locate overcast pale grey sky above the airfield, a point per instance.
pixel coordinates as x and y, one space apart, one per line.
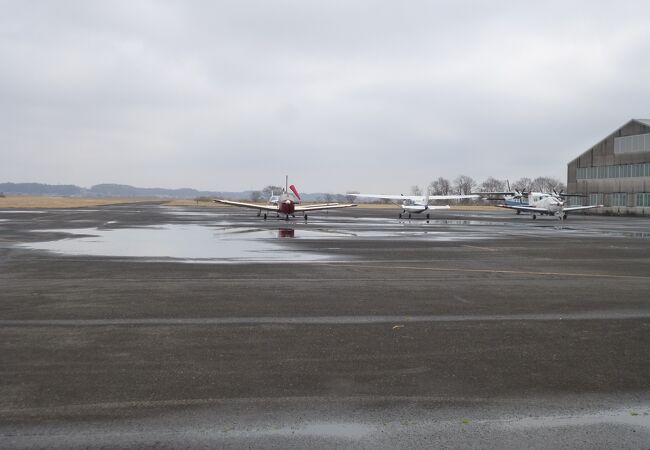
340 95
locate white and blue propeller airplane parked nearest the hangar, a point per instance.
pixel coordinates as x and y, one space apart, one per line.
541 203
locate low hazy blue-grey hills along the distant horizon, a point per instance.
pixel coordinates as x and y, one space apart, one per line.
123 190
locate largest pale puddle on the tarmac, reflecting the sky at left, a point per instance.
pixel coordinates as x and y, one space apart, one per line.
187 243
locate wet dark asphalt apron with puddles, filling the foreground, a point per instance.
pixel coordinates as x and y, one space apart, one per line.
353 330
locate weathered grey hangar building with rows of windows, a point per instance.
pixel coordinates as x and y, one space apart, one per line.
615 172
